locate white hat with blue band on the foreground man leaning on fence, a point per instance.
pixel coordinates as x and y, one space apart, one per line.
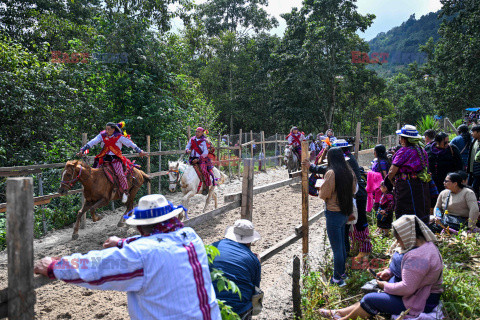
152 209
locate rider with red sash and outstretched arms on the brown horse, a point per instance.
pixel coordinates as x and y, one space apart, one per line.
112 140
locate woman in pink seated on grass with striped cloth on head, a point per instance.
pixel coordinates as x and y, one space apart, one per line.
420 271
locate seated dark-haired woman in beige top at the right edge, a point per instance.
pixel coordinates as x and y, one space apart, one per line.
457 203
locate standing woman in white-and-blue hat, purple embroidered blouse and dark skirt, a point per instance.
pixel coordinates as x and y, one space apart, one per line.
409 172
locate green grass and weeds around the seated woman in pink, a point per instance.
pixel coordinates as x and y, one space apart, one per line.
461 279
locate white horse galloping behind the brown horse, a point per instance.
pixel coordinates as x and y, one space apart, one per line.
185 174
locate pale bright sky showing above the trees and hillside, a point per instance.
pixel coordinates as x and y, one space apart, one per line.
389 13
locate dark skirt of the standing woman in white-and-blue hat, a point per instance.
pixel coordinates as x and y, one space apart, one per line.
412 196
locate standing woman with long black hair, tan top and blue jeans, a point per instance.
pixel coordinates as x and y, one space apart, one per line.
337 190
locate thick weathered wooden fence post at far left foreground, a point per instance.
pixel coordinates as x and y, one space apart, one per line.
21 293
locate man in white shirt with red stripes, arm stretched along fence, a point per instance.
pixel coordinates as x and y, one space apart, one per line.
164 270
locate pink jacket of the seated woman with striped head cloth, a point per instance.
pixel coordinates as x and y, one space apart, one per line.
421 272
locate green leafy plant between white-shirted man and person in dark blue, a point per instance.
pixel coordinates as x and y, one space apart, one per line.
222 284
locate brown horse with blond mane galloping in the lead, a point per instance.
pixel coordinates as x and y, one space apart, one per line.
97 189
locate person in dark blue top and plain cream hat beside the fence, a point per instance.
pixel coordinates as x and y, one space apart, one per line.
240 265
